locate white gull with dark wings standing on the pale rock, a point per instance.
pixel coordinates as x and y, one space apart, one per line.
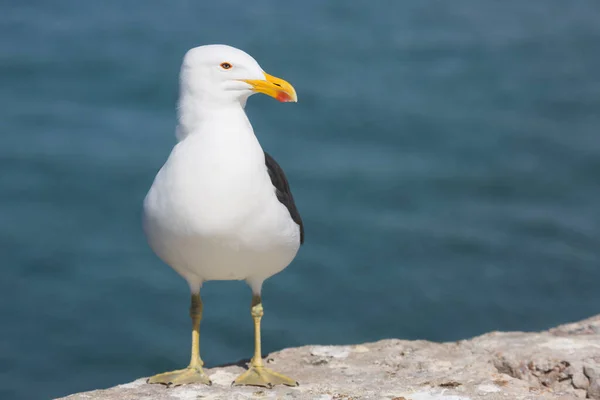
220 208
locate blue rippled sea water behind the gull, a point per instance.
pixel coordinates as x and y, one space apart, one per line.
445 157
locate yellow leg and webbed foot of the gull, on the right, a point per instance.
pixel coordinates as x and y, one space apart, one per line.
258 374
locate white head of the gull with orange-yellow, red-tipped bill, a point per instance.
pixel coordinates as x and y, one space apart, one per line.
221 75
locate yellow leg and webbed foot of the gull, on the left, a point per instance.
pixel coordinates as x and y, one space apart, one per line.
194 372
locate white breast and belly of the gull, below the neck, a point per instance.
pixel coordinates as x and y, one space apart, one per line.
212 212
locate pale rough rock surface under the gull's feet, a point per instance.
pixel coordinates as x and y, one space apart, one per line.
562 363
